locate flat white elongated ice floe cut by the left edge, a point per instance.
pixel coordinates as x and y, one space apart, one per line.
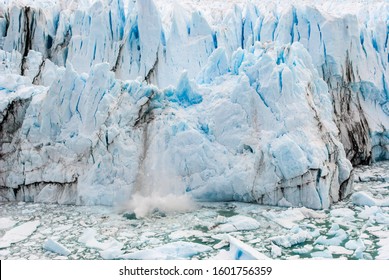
18 233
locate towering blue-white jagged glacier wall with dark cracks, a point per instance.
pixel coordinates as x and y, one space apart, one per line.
251 102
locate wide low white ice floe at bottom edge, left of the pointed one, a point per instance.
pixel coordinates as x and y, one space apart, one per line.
174 250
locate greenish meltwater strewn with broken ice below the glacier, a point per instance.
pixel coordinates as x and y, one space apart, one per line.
356 228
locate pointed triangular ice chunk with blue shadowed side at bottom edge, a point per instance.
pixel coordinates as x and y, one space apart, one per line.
239 251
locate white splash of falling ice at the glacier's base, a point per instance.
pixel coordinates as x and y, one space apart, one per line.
144 205
